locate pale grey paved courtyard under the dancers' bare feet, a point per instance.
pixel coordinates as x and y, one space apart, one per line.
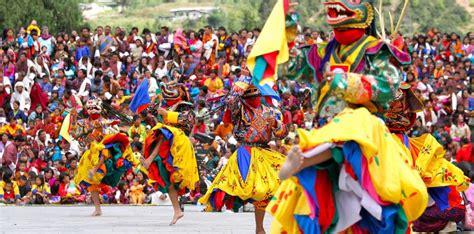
121 219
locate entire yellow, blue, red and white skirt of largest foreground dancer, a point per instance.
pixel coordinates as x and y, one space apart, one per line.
369 185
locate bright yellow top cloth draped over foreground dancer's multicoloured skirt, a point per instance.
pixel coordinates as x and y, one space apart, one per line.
389 164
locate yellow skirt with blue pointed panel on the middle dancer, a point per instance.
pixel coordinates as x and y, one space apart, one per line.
250 175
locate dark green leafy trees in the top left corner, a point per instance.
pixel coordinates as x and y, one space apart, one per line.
58 15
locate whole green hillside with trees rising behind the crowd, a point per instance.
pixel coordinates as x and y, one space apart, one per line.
65 15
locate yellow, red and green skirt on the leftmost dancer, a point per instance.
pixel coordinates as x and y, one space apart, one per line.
118 159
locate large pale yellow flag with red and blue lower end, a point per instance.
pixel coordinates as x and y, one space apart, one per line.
270 50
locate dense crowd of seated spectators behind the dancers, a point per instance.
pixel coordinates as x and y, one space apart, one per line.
43 77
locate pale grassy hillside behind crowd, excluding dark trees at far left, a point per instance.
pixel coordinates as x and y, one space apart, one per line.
447 15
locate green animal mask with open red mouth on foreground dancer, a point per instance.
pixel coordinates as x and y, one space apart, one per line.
347 14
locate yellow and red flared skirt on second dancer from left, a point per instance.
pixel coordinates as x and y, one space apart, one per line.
175 164
